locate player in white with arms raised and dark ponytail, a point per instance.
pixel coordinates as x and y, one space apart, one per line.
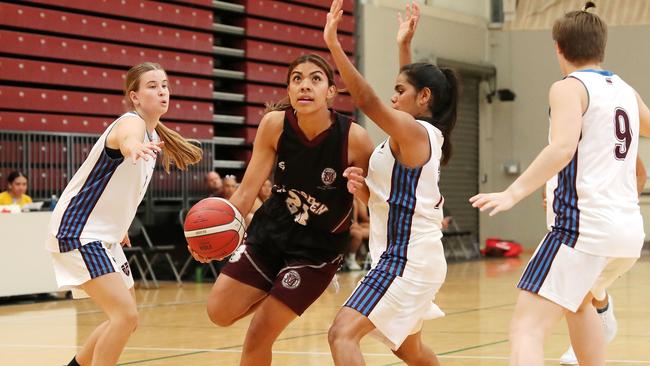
405 204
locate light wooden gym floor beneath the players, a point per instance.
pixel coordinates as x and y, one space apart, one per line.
478 298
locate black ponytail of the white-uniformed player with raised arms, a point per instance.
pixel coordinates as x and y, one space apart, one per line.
445 115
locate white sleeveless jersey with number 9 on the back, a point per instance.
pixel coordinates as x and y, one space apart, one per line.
593 201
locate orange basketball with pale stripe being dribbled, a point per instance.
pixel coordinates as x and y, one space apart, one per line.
214 228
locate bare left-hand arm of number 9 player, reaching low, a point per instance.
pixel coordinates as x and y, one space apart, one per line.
567 100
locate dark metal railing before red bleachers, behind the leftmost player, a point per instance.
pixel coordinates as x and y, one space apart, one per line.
50 159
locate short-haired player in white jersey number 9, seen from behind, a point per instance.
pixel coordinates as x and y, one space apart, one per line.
596 230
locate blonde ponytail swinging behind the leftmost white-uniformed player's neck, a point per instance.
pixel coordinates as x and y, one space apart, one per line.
176 149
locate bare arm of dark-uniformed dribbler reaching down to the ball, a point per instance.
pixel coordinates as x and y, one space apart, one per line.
261 163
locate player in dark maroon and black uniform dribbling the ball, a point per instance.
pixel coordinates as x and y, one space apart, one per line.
297 237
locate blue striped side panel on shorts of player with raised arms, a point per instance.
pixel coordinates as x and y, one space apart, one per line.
372 288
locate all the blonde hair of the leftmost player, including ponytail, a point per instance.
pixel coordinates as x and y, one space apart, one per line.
176 149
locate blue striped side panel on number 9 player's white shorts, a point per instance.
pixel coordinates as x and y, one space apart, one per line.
540 265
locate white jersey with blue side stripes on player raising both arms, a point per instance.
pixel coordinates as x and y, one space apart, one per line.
405 203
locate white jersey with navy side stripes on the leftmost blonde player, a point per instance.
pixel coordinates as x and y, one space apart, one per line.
101 199
